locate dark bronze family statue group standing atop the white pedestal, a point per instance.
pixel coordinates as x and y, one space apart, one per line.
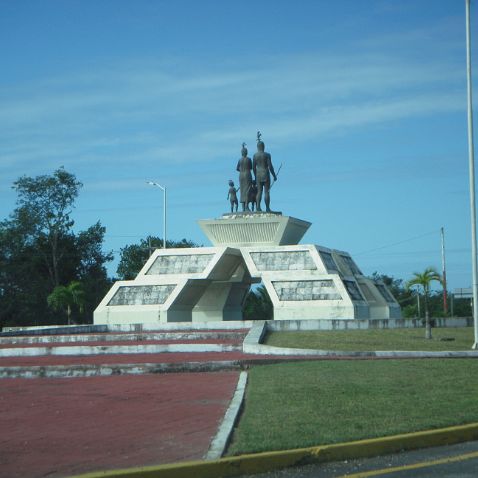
251 190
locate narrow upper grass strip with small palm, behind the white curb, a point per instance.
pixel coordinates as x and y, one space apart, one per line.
375 339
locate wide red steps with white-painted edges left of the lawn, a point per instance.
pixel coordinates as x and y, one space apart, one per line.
98 352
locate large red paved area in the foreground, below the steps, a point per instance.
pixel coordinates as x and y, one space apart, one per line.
60 427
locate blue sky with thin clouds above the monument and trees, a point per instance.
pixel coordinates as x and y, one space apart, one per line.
362 102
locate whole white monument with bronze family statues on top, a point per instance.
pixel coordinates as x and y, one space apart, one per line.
210 283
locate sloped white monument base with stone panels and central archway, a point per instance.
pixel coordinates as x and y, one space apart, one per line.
211 283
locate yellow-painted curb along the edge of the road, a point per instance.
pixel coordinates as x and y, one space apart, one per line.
263 462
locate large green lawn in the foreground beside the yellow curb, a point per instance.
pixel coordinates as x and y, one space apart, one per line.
304 404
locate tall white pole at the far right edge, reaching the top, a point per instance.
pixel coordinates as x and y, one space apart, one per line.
471 164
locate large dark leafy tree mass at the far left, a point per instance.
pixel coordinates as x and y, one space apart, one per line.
39 251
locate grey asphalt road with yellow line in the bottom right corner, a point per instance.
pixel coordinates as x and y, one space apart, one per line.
457 461
